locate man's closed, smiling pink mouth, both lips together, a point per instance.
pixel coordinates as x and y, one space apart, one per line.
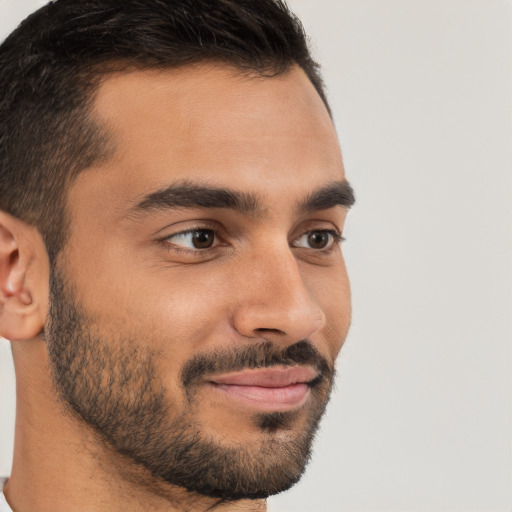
273 389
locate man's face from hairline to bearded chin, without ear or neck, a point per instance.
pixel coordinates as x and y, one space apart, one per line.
202 298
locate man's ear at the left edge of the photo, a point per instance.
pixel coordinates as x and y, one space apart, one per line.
24 278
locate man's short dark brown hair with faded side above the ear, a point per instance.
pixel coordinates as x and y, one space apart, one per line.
50 66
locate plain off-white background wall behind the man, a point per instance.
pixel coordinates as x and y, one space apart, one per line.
422 417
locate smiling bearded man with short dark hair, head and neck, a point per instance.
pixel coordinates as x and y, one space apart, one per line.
172 202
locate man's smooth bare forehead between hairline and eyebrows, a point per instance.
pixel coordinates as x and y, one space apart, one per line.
209 123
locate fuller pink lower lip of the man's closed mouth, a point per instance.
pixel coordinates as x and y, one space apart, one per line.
259 397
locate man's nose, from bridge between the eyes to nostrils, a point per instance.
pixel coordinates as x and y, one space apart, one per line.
274 302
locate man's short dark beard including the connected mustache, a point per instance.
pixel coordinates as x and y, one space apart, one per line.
114 387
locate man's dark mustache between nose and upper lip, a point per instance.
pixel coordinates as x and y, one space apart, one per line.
262 355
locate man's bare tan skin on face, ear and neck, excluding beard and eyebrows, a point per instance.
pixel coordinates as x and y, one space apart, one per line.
271 137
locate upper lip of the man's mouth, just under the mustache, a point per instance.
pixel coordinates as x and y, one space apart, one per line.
275 377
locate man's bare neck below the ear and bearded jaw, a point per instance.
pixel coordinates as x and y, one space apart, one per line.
60 464
